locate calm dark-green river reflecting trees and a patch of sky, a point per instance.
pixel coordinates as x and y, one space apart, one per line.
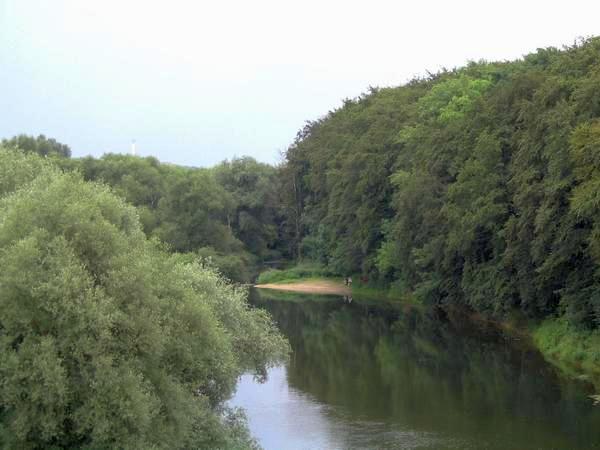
364 375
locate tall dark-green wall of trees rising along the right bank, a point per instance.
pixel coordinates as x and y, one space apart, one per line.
477 186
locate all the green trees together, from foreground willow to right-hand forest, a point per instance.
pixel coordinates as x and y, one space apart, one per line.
477 187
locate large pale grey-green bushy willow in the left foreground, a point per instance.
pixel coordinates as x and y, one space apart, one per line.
106 340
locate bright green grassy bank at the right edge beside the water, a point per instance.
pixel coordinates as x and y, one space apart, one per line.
574 351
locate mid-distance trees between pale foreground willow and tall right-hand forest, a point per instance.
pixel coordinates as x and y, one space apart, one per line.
228 213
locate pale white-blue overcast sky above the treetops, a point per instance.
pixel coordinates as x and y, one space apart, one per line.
195 82
